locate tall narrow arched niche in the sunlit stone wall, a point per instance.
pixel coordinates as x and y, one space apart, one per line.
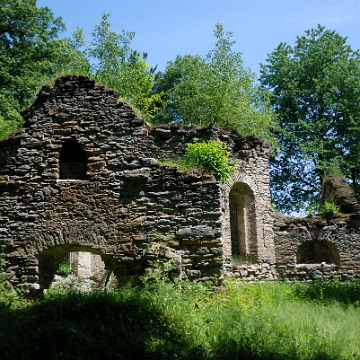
243 221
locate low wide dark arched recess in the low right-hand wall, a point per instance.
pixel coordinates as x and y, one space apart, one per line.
317 252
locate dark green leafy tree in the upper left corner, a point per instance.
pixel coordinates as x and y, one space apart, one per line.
28 47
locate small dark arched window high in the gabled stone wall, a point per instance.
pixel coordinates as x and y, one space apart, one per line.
72 161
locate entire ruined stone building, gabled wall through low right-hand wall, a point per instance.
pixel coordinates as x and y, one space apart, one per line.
85 175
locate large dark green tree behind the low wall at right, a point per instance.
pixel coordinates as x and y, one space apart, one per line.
315 95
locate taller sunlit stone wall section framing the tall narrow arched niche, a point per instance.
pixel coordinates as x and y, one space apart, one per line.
251 156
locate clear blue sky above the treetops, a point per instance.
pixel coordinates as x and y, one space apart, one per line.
166 28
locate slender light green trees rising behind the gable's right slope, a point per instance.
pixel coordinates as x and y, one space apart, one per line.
109 58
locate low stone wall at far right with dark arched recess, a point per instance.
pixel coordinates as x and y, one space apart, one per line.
318 248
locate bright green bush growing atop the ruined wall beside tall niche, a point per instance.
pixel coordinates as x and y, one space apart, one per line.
210 156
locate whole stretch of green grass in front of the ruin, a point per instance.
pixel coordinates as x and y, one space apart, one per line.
188 321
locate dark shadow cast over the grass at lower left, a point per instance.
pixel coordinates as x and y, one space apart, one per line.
118 326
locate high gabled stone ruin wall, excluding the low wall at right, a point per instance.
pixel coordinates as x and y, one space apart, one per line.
126 207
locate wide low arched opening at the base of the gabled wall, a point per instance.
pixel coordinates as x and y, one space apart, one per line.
49 260
